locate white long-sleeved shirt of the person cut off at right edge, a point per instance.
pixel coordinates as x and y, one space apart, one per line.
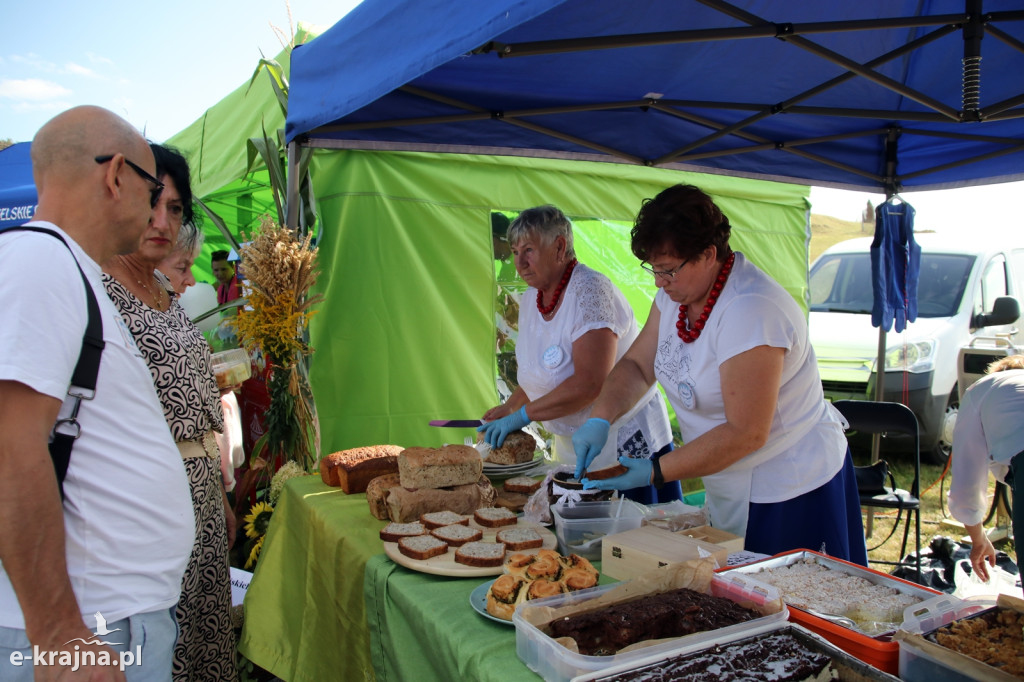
990 432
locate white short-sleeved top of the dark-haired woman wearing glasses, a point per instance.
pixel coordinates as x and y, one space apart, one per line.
806 446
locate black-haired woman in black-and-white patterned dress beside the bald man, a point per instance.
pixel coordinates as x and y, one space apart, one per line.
180 363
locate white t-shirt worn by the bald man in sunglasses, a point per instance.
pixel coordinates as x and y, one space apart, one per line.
129 514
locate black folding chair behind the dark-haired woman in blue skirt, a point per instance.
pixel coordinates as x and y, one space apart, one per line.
882 418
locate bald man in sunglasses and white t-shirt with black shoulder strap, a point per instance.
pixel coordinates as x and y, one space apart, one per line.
110 562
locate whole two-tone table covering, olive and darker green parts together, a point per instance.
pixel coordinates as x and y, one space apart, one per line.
311 617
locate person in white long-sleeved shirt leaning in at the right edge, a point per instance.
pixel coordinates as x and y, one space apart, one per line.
990 437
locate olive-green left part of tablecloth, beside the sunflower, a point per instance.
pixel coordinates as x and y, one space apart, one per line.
305 612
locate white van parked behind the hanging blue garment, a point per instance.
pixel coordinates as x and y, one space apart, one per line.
968 288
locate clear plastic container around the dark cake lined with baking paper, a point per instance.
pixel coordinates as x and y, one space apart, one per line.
557 664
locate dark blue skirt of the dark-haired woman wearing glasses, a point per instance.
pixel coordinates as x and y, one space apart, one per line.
827 521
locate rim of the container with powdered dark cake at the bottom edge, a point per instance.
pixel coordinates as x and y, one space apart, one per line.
848 667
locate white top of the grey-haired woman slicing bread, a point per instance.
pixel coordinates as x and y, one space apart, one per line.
544 354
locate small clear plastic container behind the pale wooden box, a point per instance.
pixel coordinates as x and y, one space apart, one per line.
581 528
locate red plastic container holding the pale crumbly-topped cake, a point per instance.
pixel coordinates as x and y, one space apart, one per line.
879 651
